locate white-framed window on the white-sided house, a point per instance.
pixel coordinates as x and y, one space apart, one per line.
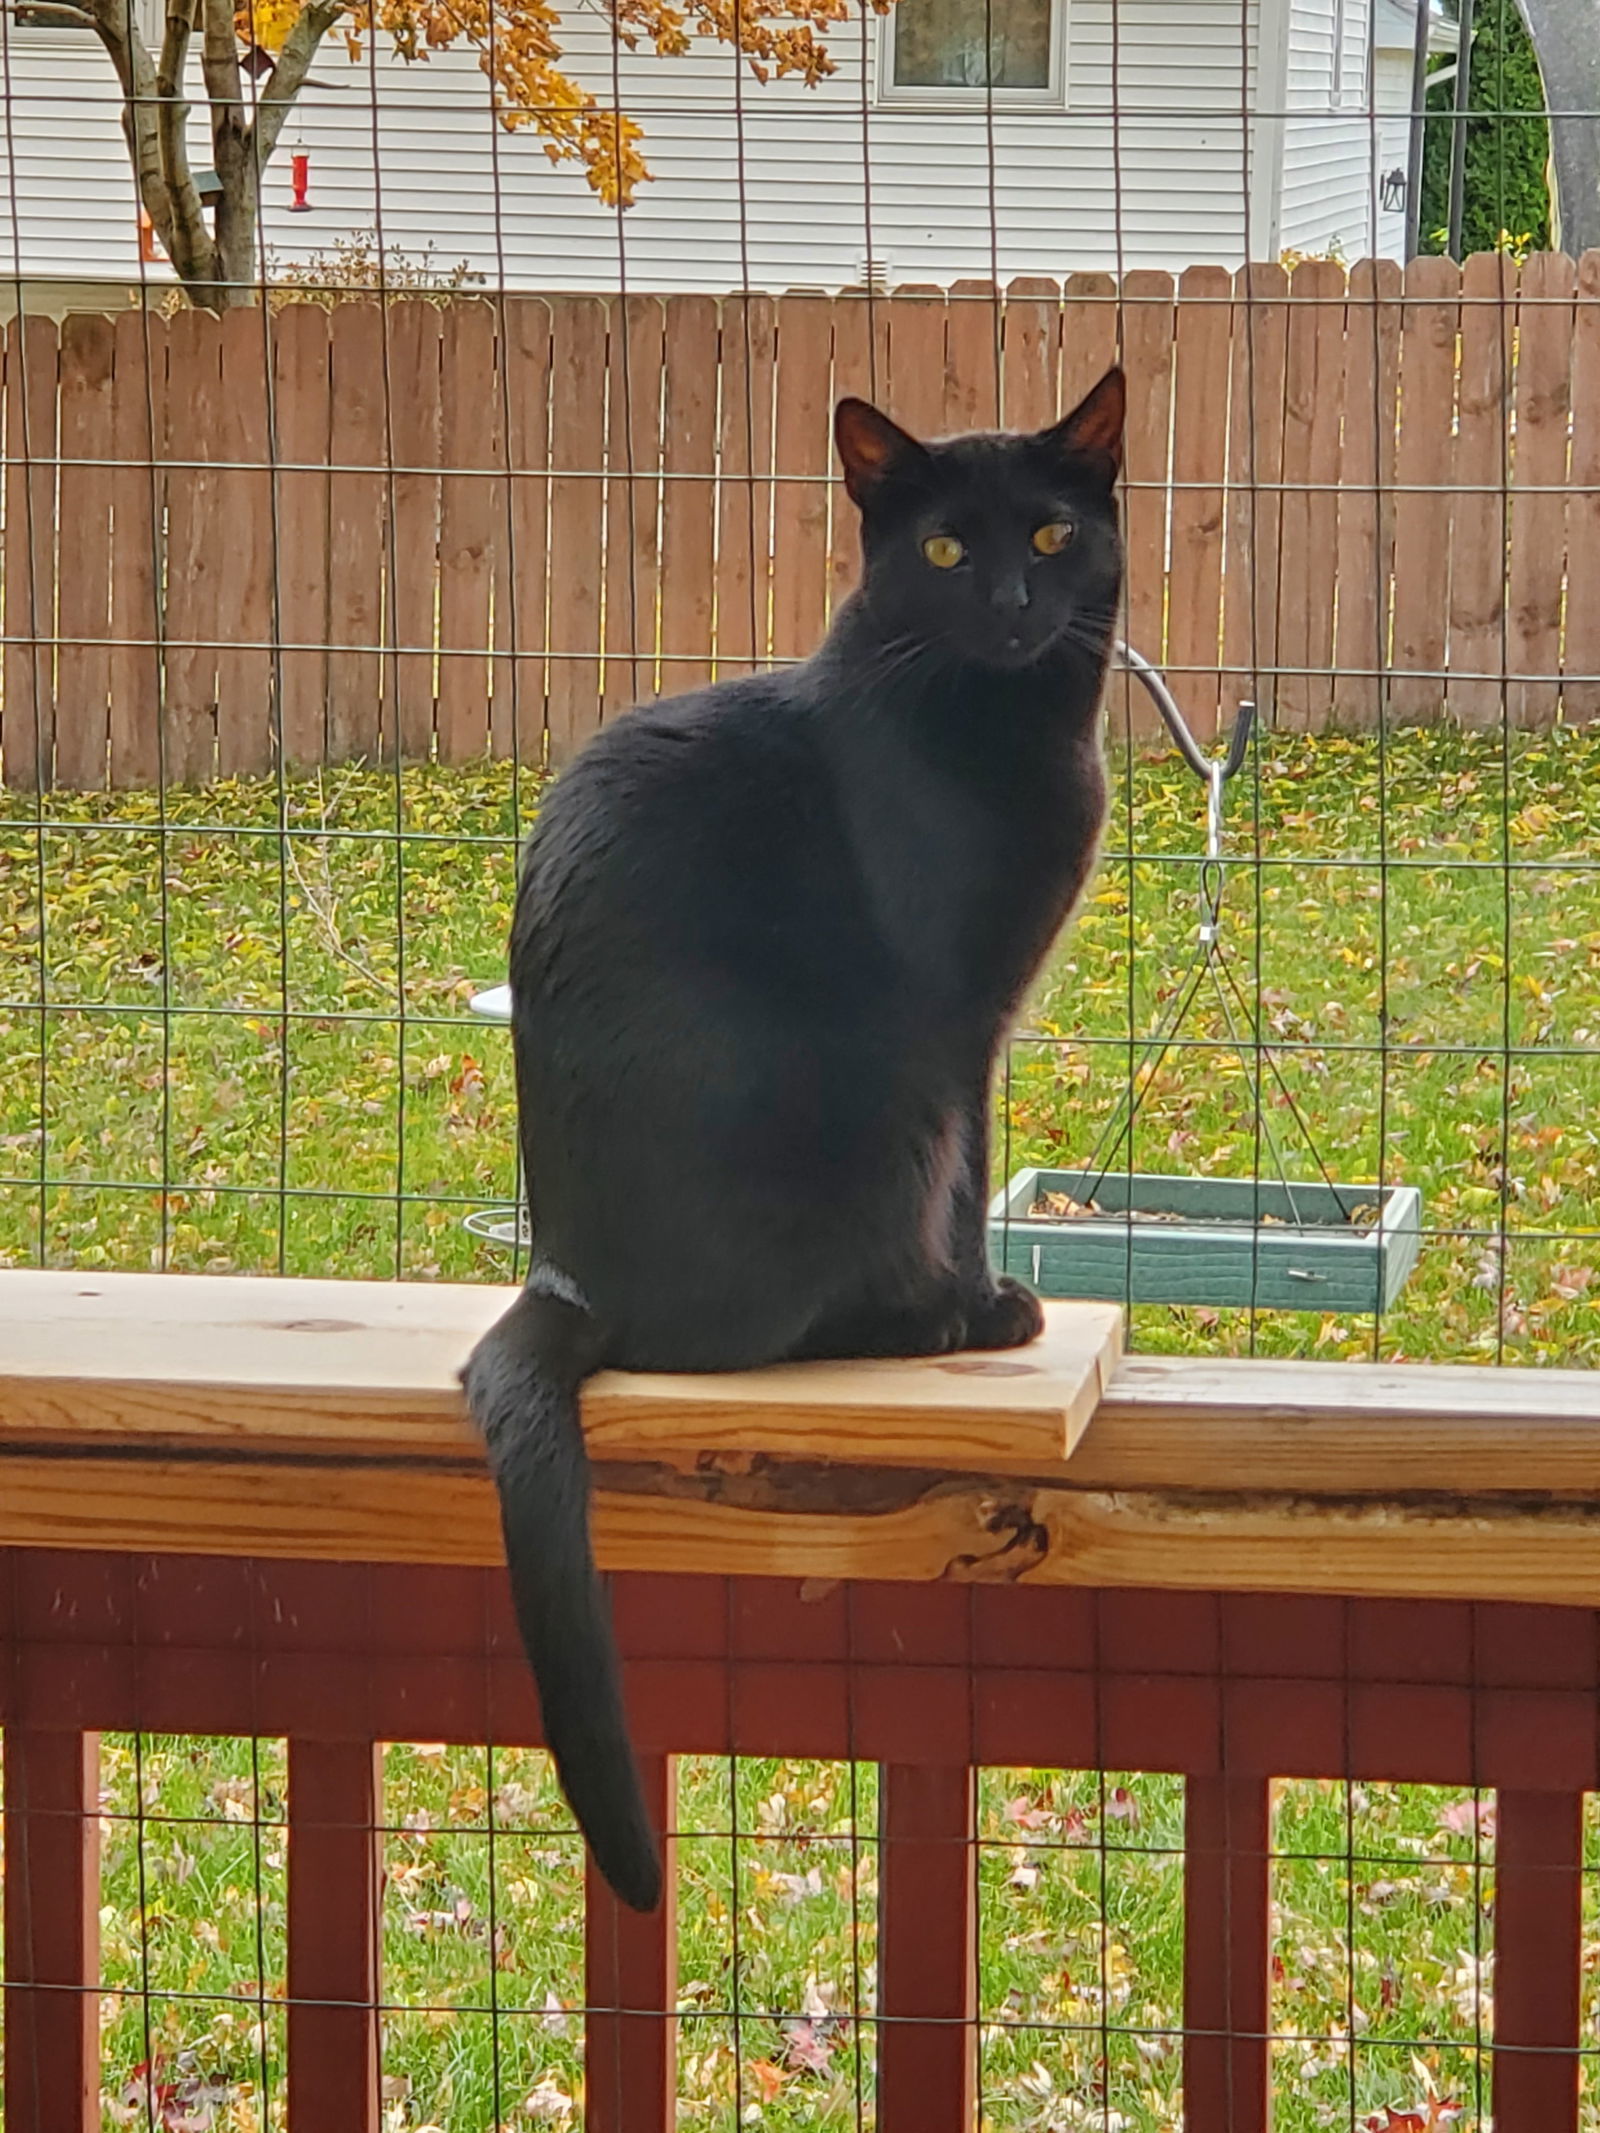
967 50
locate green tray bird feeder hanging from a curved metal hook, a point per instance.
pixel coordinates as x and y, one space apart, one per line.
1142 1238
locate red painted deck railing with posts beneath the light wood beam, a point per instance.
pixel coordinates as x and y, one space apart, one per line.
929 1682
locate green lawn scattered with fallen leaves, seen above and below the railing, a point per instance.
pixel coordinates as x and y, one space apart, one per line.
236 1051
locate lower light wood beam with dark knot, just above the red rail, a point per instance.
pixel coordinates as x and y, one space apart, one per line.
899 1526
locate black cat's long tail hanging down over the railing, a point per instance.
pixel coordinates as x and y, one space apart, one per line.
524 1392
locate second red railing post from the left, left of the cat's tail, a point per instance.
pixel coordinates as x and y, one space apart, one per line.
334 1936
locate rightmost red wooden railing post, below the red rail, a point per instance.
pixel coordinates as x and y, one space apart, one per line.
1539 1959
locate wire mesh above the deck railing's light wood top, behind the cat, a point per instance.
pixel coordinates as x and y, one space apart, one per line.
304 600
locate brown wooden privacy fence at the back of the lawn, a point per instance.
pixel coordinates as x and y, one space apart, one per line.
487 526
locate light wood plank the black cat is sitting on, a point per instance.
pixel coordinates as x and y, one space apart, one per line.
372 1364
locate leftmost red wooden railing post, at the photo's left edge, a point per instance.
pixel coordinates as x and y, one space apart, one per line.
52 2008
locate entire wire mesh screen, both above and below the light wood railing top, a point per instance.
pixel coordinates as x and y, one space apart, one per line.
302 607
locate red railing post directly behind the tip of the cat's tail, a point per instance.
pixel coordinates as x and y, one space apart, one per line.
630 2051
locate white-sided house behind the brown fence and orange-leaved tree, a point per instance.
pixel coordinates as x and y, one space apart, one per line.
1223 129
